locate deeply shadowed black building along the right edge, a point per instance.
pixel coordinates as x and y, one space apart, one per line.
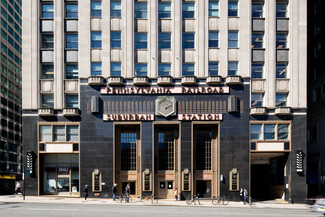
316 96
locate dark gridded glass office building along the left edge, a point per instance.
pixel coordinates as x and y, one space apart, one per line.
10 128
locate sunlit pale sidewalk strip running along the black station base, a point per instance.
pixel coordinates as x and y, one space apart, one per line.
135 201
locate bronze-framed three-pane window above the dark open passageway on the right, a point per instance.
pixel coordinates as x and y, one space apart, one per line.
270 131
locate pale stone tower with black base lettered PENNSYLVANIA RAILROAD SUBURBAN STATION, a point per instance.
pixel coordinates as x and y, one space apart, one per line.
202 96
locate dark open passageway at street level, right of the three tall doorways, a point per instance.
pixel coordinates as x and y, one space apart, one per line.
267 176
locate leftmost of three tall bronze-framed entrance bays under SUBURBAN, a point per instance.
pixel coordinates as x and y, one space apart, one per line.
128 159
